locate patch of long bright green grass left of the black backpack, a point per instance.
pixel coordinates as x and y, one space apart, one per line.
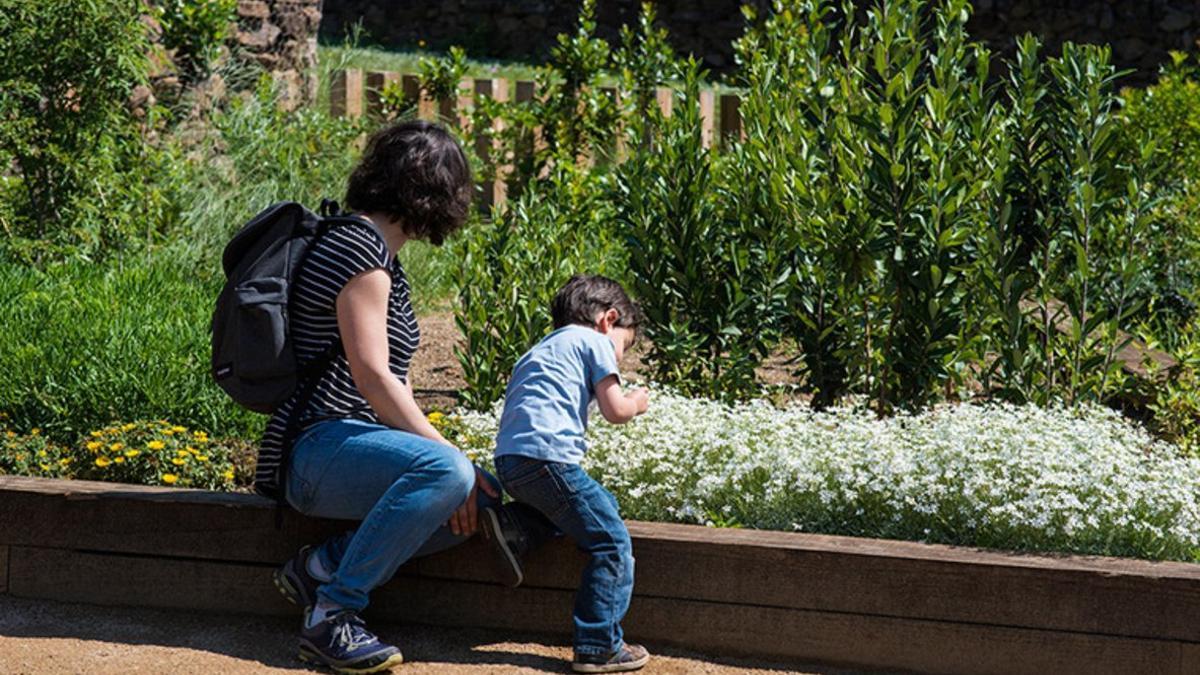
83 347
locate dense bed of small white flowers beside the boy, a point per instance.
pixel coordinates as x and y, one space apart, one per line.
1022 479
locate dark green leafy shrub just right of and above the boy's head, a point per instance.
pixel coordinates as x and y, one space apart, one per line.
701 267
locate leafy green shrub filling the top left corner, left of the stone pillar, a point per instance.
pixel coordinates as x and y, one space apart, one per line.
67 70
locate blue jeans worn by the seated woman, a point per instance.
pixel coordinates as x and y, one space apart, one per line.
403 488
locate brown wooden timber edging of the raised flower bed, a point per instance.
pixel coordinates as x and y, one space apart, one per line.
842 601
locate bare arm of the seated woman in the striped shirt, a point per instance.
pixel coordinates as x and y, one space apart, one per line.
363 324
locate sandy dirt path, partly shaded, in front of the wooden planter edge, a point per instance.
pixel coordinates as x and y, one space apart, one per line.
41 637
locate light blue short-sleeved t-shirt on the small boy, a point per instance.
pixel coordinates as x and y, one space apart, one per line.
547 403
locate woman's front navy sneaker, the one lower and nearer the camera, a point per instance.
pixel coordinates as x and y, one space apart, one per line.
344 643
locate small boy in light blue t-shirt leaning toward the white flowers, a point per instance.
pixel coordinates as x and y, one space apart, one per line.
538 452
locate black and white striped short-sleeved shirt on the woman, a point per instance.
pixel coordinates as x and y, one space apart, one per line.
334 260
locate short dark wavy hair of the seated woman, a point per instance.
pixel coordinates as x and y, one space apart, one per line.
417 174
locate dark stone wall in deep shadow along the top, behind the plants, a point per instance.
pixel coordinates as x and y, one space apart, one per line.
1142 32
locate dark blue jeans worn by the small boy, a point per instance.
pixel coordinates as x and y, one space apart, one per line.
587 513
